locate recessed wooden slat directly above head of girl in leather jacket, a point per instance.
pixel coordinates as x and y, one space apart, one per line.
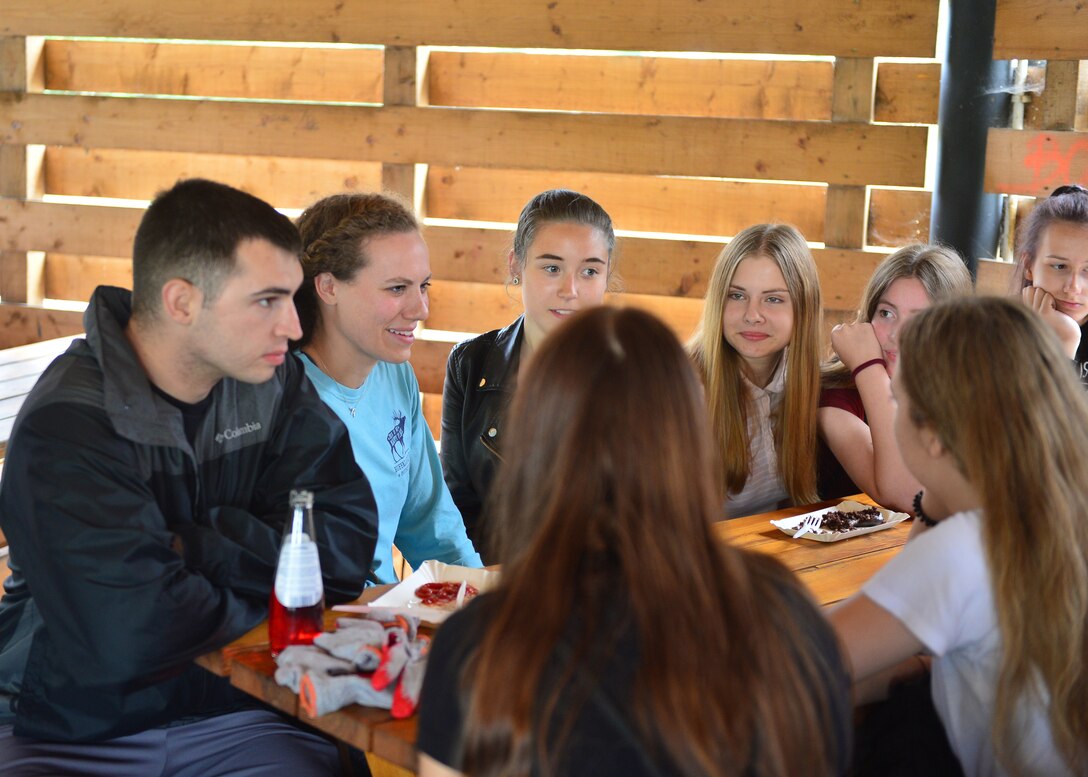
688 206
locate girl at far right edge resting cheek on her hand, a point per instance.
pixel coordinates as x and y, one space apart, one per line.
1052 273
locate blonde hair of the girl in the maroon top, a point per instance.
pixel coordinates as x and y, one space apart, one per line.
941 272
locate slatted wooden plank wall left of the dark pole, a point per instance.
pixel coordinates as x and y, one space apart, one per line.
685 149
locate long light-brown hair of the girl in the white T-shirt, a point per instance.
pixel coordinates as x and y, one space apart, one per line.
1009 409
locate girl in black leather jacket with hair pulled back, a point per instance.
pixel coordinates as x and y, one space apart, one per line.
561 261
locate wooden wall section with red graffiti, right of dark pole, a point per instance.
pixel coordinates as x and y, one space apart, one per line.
1053 149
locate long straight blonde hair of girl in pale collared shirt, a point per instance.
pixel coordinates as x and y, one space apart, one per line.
728 400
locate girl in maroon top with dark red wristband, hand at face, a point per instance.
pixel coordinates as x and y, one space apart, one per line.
858 447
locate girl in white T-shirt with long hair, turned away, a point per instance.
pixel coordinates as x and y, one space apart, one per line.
993 422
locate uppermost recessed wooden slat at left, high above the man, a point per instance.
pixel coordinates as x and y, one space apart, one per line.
208 70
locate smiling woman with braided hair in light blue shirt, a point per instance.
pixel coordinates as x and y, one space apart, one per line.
367 274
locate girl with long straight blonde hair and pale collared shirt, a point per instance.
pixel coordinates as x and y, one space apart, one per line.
758 350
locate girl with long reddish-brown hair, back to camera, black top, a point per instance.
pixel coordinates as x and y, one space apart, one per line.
625 638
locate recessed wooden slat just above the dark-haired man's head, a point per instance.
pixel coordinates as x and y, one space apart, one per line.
285 182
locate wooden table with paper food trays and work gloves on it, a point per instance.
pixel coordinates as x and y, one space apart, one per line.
833 572
